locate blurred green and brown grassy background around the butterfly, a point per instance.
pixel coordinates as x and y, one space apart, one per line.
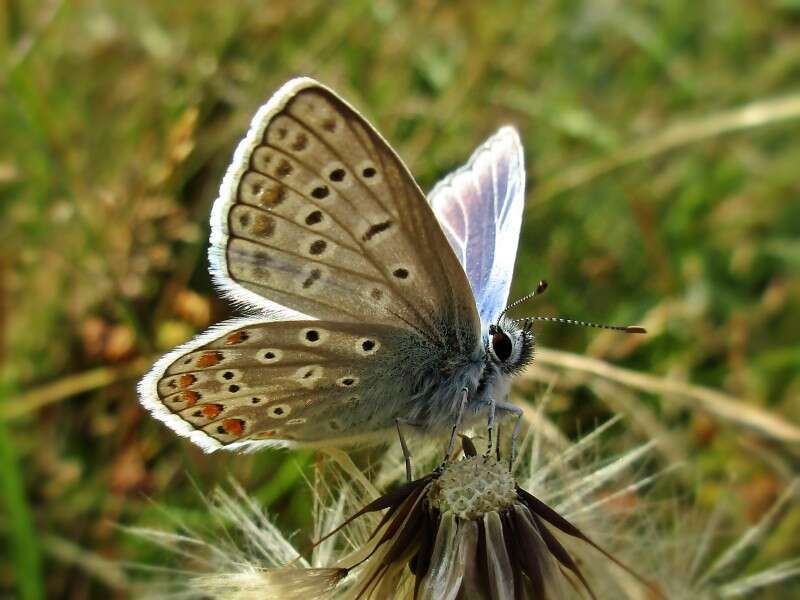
663 151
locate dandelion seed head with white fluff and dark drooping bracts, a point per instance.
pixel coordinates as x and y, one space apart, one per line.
470 529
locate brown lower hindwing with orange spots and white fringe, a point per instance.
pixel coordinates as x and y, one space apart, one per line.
253 383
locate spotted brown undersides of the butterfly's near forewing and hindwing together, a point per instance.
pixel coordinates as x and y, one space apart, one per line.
318 227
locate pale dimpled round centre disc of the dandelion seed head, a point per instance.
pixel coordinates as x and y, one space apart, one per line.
472 487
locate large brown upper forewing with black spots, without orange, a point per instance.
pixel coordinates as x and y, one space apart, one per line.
326 220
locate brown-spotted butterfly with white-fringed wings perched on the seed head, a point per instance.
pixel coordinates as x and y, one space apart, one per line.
368 303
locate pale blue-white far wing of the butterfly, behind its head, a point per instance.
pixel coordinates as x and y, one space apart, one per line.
479 206
